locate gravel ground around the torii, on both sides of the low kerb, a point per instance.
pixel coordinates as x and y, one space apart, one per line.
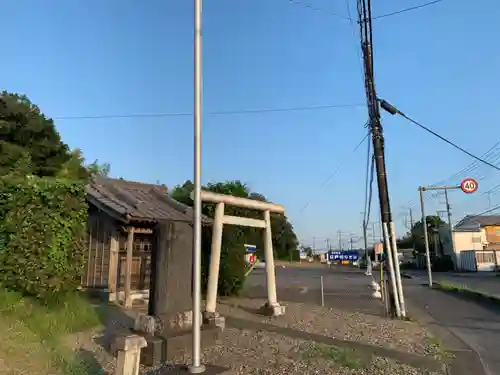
261 352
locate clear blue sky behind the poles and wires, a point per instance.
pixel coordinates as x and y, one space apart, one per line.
437 64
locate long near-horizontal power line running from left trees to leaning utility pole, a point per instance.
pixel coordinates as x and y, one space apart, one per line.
217 113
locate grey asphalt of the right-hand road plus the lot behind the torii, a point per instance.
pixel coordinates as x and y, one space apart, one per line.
472 329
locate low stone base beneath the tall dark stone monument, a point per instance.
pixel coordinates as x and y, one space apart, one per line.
162 348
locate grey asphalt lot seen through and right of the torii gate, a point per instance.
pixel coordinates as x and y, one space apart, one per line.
344 287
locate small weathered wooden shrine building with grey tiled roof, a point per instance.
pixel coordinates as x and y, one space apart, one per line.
121 213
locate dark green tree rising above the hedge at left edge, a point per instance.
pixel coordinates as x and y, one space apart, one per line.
23 124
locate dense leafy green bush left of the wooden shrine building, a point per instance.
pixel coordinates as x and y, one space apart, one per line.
42 235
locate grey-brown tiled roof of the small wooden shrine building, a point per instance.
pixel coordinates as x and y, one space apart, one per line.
137 201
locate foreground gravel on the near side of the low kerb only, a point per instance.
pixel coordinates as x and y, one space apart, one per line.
250 352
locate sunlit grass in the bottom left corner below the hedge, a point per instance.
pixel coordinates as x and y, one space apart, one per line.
25 323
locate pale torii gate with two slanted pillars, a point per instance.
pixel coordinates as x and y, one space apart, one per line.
272 307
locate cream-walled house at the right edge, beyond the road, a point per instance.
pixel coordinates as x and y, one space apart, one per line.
476 242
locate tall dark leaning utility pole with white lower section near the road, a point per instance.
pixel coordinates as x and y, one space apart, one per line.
365 22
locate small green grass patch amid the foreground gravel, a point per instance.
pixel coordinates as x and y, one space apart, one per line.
341 356
